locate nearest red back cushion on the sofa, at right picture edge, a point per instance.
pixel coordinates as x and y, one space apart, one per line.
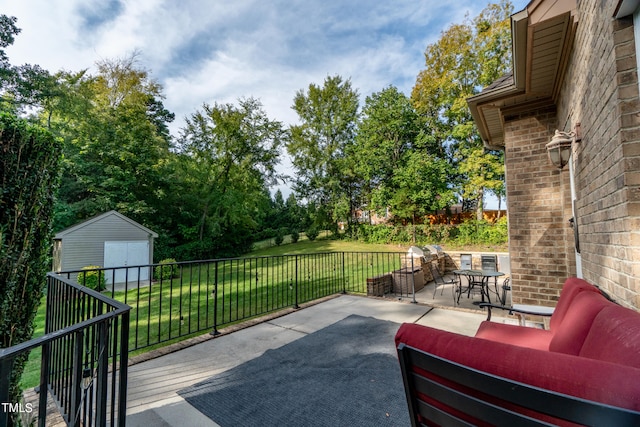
614 337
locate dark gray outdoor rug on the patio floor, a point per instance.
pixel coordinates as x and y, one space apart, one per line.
346 374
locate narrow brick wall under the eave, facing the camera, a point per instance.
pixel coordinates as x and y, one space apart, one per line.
539 237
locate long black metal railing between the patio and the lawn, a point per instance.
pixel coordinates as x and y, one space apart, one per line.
172 301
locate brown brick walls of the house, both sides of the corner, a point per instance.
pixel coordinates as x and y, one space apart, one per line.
599 91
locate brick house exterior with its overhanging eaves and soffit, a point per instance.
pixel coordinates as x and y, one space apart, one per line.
575 69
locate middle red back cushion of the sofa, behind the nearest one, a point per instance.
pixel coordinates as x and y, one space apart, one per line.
569 336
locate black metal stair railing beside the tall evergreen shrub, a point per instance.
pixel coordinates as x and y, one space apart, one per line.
84 356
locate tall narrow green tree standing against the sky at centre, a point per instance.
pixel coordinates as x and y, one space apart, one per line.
318 146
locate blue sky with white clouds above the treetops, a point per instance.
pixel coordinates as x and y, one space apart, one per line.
214 51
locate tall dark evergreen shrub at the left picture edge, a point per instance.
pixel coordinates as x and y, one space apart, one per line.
29 172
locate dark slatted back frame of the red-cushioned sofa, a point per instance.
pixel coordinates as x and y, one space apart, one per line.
429 397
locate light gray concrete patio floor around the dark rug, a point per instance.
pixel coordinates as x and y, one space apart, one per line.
153 383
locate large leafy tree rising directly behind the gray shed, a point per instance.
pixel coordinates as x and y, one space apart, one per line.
116 141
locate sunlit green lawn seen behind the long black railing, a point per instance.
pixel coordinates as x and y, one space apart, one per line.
263 282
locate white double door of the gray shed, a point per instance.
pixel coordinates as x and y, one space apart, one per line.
126 254
